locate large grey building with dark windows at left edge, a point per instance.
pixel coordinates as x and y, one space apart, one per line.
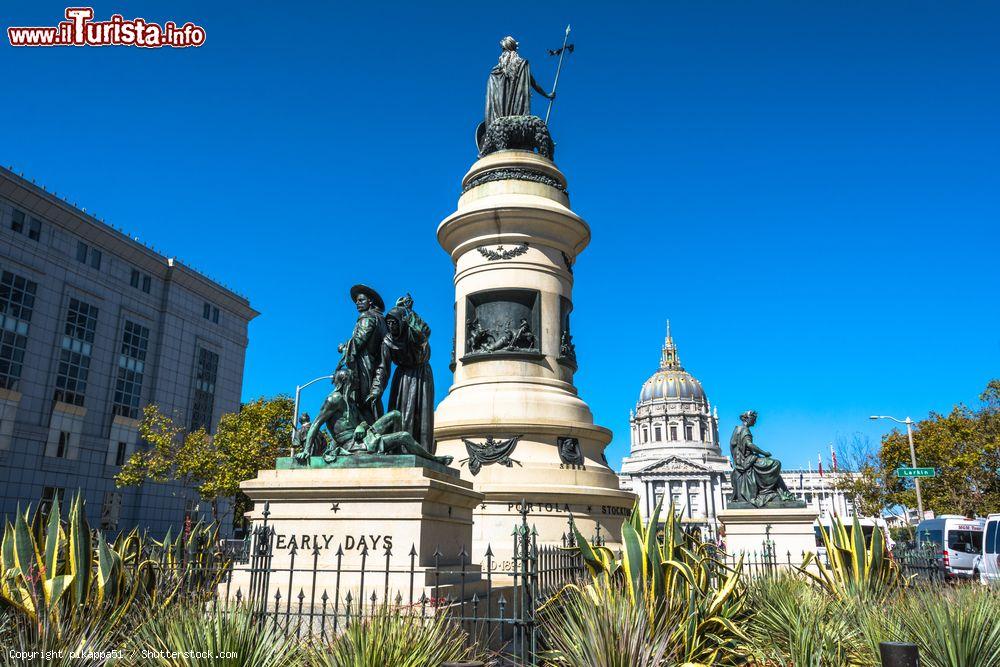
94 325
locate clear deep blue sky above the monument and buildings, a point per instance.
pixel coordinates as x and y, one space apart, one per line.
809 191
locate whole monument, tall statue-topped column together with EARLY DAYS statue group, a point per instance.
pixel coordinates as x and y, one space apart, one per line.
512 441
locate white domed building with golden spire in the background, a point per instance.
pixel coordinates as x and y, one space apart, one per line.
676 454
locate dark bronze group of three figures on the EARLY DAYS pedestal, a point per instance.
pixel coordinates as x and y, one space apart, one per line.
353 413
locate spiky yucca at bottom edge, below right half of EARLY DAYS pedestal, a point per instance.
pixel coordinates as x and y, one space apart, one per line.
394 636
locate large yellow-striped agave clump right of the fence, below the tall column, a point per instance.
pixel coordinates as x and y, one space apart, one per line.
673 575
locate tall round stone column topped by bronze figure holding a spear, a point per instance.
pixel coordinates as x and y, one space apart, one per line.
513 419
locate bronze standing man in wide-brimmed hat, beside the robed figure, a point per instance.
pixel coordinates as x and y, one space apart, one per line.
362 353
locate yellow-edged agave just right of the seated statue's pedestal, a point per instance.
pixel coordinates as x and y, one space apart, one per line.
854 571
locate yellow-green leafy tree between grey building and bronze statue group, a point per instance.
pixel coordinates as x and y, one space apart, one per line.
244 442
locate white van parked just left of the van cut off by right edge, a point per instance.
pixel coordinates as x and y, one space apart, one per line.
957 542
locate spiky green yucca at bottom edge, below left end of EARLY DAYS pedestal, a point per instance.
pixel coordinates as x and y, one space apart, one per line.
189 636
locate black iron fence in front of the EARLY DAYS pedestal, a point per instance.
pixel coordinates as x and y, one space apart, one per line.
311 593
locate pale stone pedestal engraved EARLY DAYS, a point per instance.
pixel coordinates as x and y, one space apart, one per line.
365 524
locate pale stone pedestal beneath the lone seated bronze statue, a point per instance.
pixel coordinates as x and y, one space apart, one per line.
786 531
